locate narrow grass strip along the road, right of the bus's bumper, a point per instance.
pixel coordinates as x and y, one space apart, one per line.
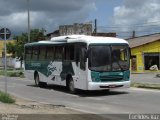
146 85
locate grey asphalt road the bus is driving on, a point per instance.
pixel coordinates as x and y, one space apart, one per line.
124 101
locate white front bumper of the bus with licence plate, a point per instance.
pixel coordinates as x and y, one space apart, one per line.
108 85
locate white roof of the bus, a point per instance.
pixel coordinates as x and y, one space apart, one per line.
79 38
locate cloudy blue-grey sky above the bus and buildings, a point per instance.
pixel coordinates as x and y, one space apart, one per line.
120 16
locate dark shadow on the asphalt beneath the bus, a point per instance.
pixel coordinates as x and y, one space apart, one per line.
83 93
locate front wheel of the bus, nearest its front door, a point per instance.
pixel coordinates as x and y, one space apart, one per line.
71 86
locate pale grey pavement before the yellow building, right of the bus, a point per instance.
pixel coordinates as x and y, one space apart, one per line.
150 78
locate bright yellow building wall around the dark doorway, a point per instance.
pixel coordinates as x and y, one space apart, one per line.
139 53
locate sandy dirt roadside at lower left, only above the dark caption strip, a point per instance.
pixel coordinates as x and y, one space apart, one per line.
31 107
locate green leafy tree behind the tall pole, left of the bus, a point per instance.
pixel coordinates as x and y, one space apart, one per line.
17 48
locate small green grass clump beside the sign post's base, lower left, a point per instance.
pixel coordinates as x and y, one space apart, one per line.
6 98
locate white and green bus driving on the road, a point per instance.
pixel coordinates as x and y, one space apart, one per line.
79 62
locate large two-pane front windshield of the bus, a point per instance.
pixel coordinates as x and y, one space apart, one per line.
108 57
